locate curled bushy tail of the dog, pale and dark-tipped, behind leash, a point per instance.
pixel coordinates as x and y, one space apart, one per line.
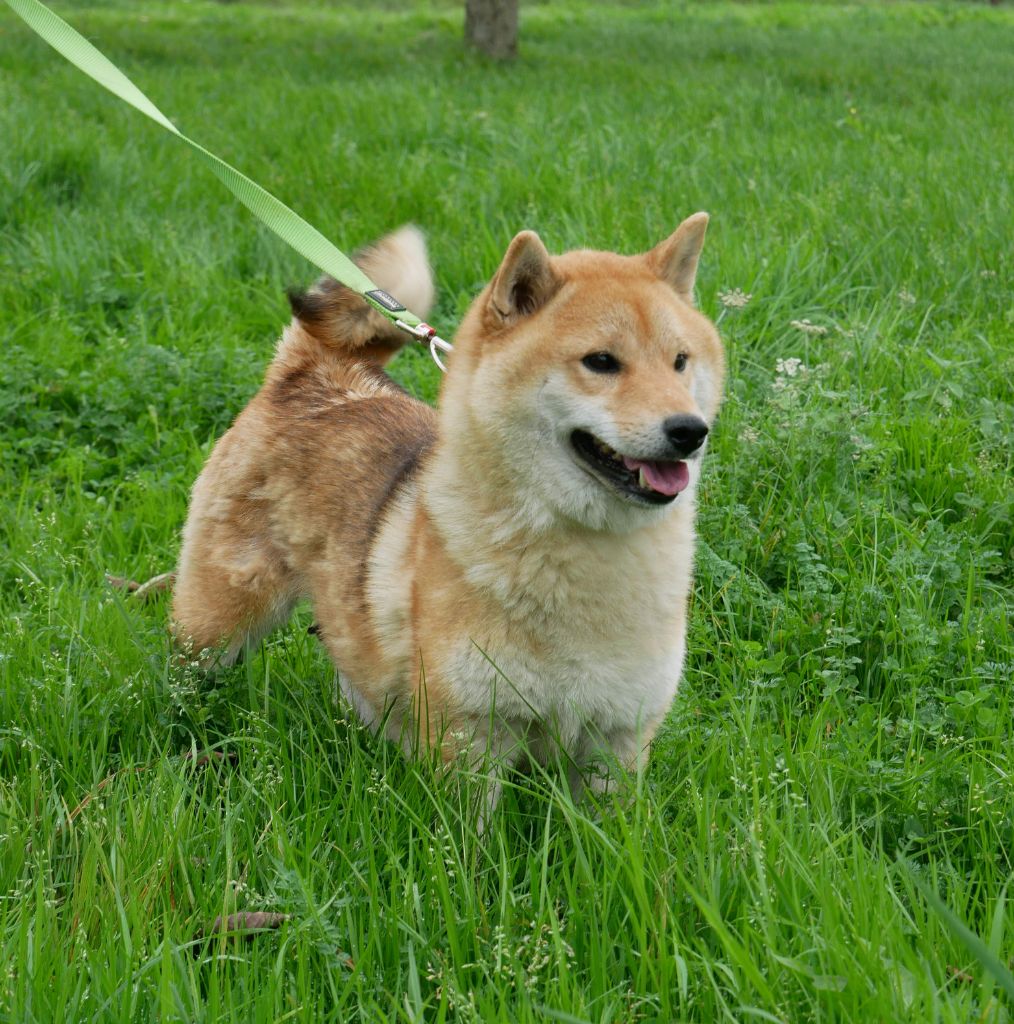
335 321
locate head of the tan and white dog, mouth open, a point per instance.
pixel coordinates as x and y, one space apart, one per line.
586 385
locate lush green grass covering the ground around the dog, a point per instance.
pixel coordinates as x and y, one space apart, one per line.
842 742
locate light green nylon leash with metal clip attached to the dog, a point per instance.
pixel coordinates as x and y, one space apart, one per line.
288 226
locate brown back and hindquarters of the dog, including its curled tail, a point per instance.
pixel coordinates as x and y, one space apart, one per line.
311 463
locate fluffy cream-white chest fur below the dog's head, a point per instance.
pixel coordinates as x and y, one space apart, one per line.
591 629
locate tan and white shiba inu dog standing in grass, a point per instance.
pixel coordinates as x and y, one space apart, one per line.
508 572
